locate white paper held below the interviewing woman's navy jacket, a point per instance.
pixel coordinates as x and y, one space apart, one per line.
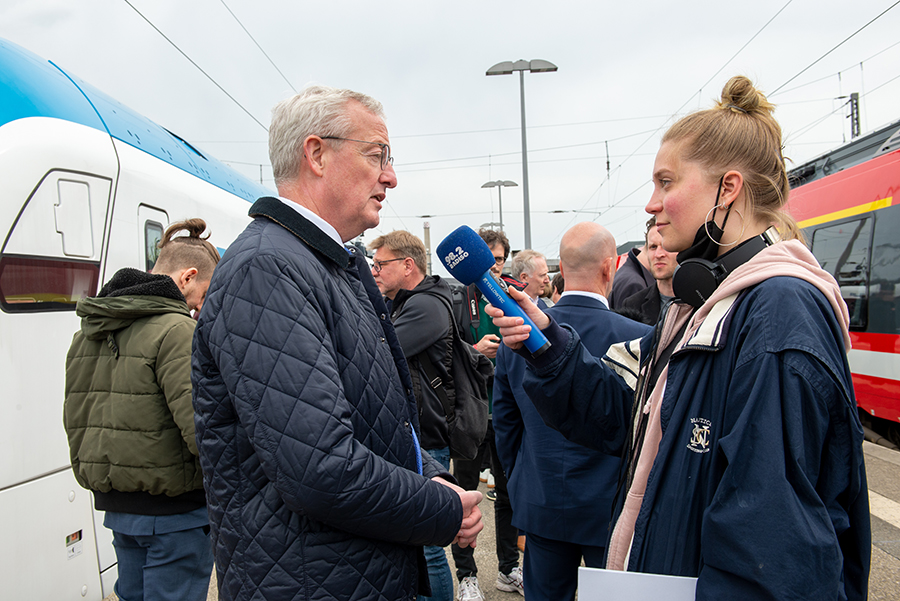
601 585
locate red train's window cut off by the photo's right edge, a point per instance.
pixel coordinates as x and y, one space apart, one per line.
884 281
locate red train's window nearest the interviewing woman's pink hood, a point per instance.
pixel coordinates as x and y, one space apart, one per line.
843 250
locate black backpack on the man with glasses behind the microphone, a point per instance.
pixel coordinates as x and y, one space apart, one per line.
465 397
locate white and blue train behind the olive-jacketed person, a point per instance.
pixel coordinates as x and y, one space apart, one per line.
87 186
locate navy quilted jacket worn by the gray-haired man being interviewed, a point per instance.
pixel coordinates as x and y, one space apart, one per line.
304 413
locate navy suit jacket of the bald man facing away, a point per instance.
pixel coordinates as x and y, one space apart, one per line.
558 489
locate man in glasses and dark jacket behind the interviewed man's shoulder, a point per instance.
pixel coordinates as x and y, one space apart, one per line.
422 322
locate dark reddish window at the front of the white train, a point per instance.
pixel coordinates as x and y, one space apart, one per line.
29 284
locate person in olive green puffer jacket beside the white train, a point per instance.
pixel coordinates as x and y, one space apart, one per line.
130 422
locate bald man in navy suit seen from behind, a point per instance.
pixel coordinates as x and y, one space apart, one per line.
561 492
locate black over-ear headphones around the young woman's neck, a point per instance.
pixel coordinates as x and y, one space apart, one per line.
695 280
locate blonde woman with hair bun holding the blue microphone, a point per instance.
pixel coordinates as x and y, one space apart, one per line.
736 417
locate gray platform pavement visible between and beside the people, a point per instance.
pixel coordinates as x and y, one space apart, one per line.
883 470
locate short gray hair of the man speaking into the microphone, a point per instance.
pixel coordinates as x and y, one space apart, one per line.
317 110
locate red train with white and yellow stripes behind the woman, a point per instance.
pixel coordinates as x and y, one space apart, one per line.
848 203
